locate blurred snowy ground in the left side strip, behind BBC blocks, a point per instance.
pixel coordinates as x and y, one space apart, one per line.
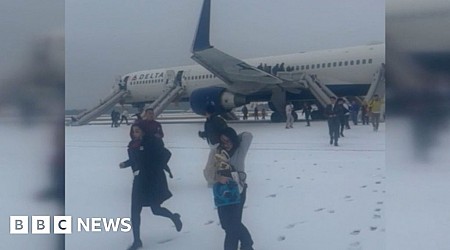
26 156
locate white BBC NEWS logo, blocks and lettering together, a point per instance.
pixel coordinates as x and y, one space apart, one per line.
64 225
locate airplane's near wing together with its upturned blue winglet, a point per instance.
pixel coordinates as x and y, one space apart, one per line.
236 73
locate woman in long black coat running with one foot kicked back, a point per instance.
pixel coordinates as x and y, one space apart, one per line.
147 160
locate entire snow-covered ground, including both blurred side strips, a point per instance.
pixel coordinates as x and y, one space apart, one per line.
303 193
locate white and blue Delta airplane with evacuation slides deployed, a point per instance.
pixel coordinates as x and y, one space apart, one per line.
228 82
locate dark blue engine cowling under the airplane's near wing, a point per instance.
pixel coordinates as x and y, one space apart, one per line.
222 99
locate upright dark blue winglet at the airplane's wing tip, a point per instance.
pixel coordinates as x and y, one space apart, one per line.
201 40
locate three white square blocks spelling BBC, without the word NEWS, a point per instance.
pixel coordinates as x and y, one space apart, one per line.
40 225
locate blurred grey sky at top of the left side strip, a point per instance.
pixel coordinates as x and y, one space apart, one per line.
22 24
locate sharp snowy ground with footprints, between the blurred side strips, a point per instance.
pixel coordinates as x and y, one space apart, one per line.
303 192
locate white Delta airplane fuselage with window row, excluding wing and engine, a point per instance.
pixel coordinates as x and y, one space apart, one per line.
348 67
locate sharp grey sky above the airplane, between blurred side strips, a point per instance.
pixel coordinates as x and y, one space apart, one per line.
112 37
